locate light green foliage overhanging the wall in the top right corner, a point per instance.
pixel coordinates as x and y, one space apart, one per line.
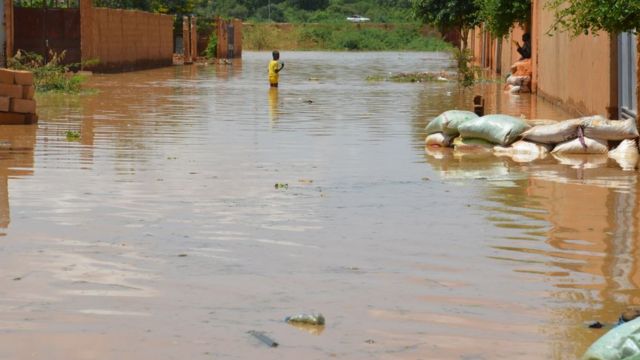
584 16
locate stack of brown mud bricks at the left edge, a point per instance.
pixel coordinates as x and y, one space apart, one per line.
17 105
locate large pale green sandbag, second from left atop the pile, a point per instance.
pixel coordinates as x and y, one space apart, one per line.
497 129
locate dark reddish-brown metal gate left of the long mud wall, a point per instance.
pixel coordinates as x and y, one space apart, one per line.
46 30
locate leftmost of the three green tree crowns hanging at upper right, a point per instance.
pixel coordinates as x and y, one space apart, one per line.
458 15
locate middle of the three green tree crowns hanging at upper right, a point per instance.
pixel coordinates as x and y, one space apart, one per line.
501 15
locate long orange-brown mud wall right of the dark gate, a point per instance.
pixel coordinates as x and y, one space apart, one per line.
125 39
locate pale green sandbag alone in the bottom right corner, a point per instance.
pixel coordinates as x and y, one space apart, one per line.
619 343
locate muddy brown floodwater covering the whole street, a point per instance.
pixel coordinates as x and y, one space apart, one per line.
161 233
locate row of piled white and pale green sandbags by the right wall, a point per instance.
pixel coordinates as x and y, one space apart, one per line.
506 135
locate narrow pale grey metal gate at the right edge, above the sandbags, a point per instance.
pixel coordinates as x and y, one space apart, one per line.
627 75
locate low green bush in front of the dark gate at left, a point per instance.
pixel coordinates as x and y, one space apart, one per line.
51 75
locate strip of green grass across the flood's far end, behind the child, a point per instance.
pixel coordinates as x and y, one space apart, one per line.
340 36
